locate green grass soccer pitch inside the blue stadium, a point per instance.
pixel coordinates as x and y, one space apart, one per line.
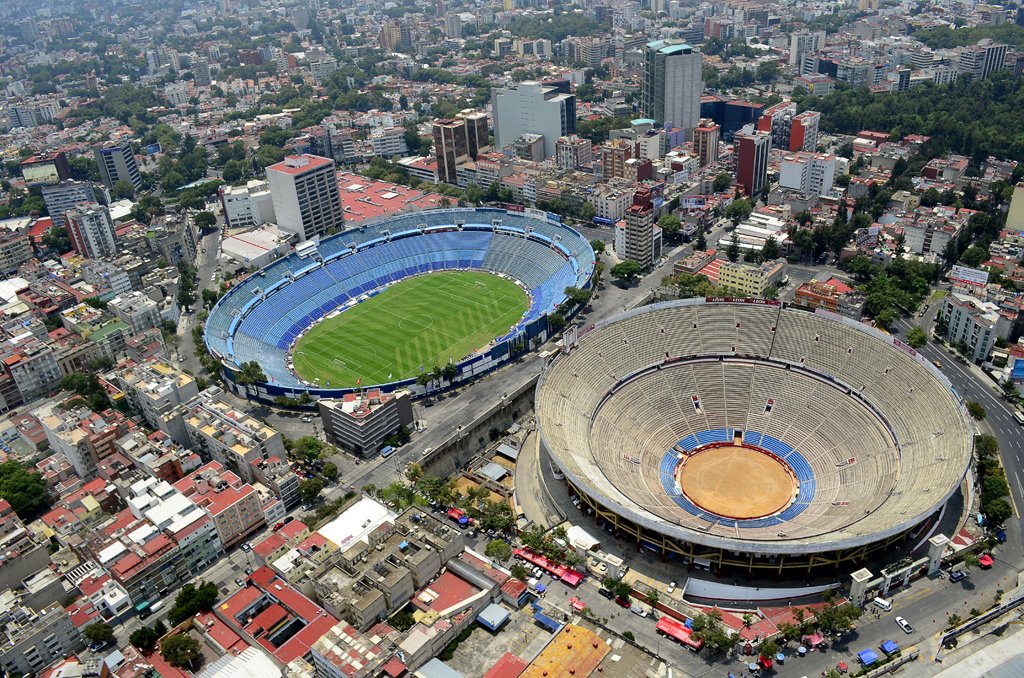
424 321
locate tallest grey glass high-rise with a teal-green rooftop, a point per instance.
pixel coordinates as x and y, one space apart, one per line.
673 84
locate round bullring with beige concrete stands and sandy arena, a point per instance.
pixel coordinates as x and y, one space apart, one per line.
751 435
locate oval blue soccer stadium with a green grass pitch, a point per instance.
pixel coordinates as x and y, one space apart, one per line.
380 305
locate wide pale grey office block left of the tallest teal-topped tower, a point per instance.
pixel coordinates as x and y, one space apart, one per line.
532 108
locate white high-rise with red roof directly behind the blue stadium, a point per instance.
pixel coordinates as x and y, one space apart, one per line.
305 192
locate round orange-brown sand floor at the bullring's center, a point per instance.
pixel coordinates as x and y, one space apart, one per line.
742 483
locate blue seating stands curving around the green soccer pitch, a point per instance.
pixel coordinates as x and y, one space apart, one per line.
364 261
